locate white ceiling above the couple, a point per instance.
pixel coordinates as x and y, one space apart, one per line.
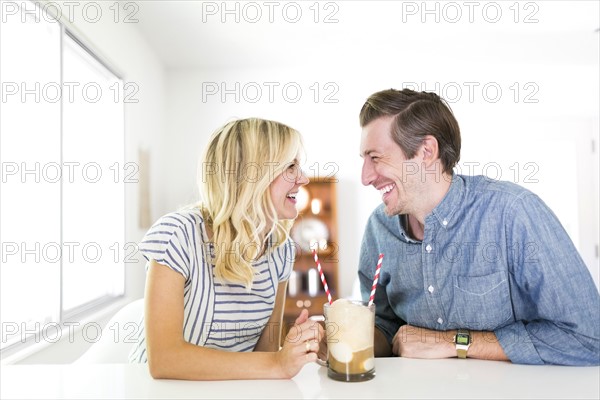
190 34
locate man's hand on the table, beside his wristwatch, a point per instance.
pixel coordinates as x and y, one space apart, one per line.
413 342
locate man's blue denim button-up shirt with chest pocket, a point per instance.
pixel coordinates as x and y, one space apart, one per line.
493 258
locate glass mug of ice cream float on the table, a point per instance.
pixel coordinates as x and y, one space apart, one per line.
350 328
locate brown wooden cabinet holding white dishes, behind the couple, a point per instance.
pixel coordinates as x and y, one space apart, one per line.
316 225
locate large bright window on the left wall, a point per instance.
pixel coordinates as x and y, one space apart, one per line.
62 177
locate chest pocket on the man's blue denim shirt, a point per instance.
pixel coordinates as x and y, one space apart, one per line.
482 302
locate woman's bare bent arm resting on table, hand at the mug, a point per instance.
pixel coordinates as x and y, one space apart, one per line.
171 357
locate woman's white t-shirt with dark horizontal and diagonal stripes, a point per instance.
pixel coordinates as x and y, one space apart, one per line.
216 315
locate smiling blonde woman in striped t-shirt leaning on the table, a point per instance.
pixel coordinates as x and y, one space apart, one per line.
217 273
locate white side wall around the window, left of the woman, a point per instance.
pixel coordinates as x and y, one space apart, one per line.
127 52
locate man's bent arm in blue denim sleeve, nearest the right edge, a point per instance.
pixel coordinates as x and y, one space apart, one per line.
557 318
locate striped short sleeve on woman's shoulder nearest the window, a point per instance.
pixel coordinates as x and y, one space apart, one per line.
170 241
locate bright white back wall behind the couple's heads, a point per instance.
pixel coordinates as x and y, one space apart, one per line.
495 133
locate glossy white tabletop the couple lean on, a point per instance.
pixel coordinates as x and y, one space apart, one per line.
396 378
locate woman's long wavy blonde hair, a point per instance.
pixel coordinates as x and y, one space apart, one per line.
241 160
